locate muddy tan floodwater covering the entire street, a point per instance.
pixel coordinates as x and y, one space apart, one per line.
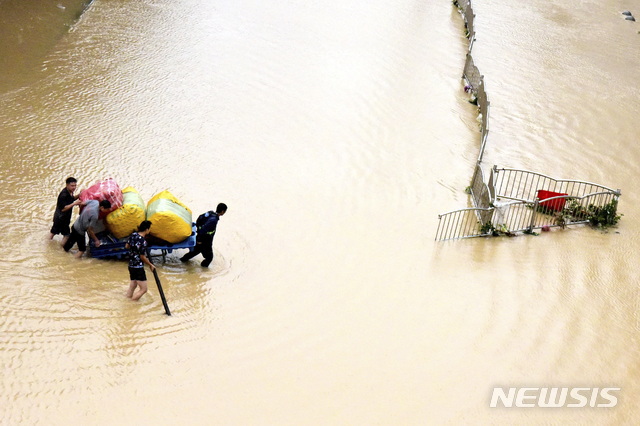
336 132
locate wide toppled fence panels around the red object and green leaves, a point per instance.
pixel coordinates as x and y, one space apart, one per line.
523 201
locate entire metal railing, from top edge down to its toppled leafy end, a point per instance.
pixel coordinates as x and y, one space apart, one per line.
510 199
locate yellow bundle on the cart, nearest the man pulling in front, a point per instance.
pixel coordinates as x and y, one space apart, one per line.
170 219
